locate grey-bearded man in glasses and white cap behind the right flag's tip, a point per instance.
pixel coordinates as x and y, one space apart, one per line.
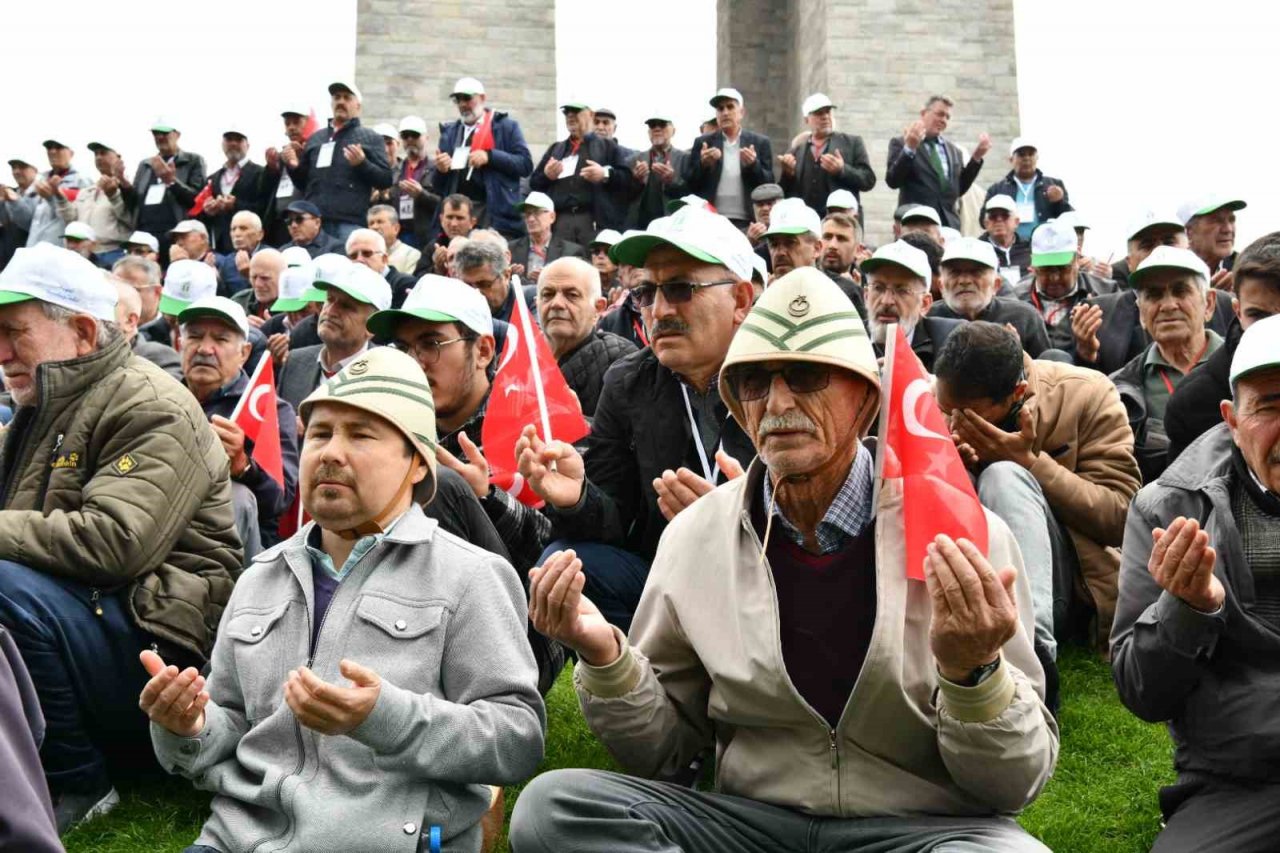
898 291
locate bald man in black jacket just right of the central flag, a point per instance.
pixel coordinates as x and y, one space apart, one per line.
569 307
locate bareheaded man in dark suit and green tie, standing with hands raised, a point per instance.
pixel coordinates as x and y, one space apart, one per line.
927 170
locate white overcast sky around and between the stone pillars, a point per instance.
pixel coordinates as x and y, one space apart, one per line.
1141 101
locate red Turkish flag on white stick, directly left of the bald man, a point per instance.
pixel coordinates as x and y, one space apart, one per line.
528 389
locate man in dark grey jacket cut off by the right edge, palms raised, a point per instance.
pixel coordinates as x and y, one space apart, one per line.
1199 619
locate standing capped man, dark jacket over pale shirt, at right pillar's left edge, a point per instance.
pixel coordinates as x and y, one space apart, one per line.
724 167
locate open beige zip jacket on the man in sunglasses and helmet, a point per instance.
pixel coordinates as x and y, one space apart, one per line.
705 665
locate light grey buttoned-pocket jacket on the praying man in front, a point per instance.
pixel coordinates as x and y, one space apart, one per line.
444 626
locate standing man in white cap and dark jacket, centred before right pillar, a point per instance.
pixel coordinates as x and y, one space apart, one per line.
825 161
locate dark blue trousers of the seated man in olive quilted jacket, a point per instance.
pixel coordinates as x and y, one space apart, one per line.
86 672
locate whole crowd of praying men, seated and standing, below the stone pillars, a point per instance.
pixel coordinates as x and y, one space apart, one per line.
351 646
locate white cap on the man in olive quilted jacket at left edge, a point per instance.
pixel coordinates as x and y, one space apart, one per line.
60 277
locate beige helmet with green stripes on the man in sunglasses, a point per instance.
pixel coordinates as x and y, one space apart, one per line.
803 317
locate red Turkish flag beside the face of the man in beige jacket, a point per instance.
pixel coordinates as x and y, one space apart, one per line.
917 448
